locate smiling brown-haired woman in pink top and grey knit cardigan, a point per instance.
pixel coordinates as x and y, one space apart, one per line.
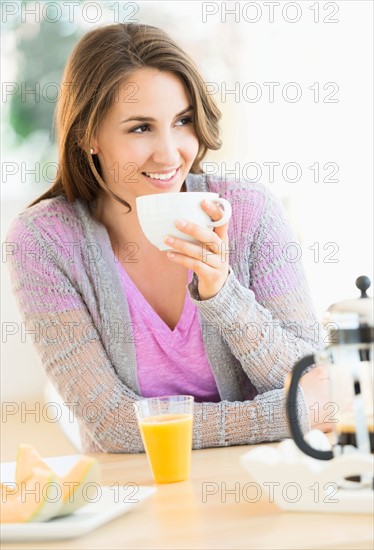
115 318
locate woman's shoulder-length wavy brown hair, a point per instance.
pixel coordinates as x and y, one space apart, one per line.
101 60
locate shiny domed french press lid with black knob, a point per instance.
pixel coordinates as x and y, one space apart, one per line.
351 321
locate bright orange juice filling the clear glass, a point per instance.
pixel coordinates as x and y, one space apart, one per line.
167 440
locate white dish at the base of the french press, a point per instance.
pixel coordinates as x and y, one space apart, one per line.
298 483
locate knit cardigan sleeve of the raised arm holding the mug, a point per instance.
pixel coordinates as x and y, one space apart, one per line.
270 323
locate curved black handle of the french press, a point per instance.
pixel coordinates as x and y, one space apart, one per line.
293 421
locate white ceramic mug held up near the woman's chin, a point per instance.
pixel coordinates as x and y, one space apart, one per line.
158 213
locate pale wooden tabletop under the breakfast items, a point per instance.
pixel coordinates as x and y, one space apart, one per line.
176 516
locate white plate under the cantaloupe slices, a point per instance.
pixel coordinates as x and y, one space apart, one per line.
110 502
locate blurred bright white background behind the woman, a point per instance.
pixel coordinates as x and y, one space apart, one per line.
323 48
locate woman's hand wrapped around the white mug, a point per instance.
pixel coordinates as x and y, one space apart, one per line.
209 258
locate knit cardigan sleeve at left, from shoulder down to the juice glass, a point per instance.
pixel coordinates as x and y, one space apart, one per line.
68 343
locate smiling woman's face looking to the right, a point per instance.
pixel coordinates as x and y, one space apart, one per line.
147 141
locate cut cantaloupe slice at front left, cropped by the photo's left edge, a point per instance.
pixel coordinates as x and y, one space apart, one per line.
31 501
